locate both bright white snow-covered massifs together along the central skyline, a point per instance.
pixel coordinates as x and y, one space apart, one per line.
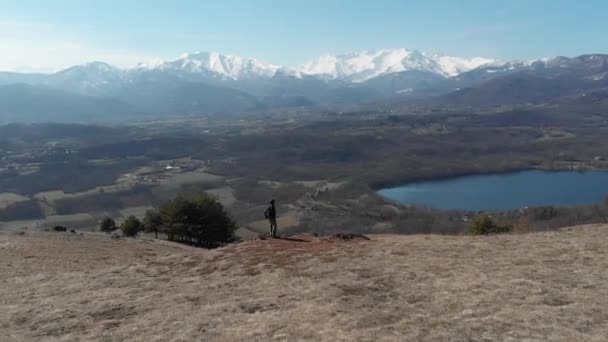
355 67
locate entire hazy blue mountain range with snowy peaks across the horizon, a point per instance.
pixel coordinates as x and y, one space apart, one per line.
205 83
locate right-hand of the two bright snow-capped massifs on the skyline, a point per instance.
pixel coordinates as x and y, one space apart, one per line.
363 66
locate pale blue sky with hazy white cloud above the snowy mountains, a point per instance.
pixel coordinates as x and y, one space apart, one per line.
50 35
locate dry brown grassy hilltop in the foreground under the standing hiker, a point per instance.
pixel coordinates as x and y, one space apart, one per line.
528 287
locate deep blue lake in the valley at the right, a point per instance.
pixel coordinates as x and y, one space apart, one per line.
505 191
